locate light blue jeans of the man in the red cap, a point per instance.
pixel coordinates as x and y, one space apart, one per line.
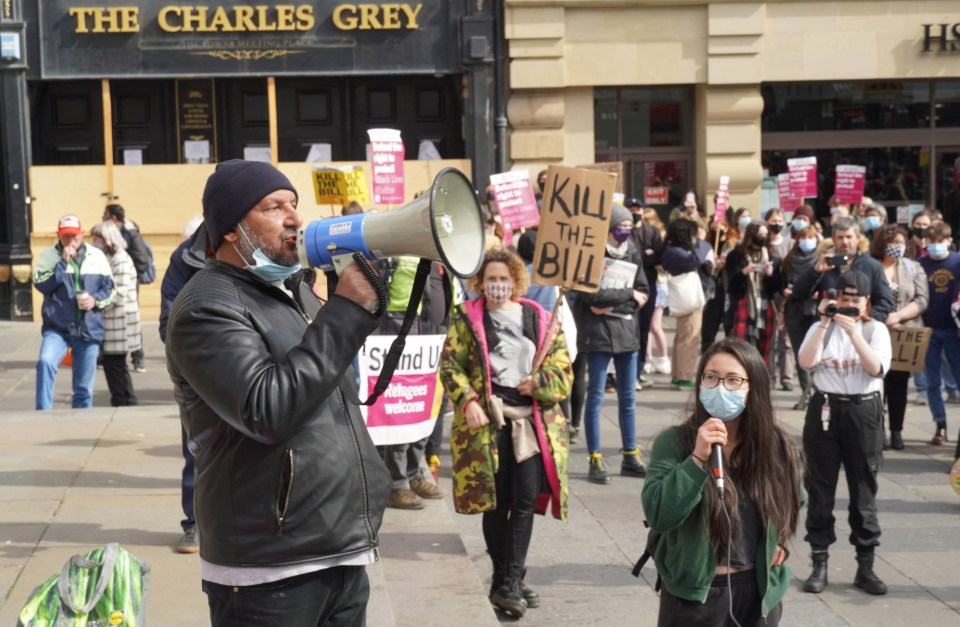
53 348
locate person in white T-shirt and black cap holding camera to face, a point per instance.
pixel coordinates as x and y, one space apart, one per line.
849 354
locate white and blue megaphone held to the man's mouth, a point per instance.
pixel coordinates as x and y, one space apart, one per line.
443 224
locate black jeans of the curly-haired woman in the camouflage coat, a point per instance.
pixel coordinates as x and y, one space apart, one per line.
508 529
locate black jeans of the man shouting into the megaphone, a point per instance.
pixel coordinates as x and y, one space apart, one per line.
333 597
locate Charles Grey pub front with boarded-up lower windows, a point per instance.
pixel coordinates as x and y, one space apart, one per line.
137 101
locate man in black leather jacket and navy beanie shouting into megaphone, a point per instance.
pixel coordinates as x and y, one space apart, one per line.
290 489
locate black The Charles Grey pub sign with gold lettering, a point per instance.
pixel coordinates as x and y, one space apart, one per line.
220 37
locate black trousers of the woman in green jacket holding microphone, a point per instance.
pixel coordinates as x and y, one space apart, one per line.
715 611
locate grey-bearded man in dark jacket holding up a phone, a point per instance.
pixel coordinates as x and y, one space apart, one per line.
848 253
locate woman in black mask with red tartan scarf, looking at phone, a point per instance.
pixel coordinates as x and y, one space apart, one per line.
752 279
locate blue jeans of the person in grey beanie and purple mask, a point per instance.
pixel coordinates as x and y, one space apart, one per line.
626 369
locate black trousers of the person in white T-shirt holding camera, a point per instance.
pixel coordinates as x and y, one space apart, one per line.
854 438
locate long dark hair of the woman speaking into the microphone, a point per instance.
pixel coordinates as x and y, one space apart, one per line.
765 462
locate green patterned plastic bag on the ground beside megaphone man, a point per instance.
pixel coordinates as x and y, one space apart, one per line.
106 587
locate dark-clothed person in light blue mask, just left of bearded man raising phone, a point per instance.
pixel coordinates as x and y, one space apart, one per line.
799 313
